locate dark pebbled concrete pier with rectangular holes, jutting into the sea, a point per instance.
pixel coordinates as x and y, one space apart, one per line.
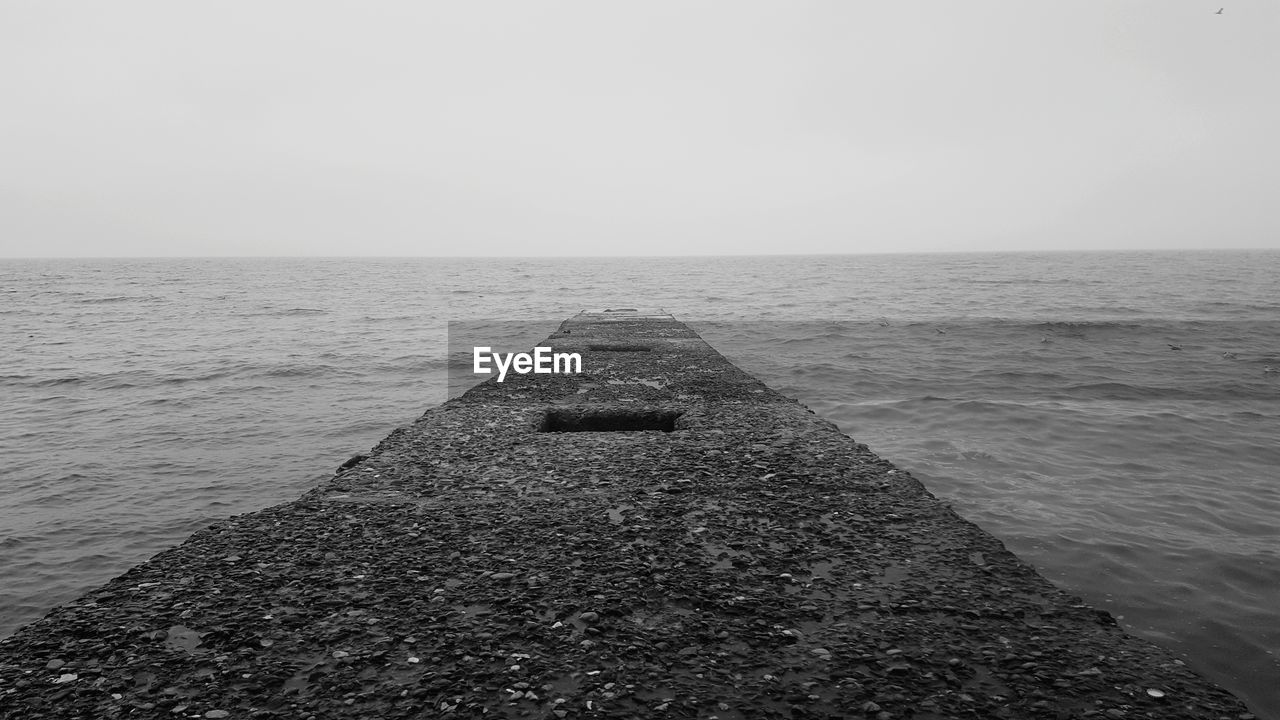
660 536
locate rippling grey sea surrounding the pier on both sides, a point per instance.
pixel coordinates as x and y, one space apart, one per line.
1113 417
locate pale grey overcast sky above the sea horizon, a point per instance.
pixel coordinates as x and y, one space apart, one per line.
656 127
